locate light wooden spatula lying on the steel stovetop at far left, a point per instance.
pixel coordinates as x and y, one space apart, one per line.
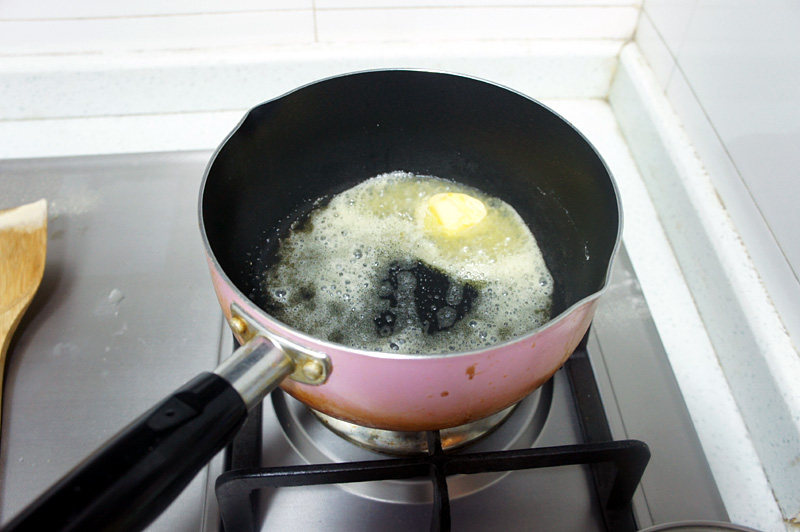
23 246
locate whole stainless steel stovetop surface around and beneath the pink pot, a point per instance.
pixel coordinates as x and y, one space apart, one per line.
126 314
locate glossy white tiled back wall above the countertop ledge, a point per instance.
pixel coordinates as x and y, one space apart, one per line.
53 27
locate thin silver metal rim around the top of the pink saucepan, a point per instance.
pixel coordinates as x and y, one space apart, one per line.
272 323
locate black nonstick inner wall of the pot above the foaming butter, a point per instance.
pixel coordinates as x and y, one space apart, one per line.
331 135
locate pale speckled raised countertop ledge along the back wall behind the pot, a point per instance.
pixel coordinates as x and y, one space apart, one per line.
208 81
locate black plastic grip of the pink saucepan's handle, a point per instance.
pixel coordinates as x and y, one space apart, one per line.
129 481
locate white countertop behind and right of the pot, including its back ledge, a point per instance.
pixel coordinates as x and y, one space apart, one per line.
127 103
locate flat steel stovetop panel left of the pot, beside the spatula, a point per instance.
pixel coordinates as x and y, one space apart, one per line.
124 314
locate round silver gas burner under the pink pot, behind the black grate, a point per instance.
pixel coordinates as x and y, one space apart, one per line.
317 441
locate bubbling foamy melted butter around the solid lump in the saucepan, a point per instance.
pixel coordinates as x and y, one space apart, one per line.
369 271
